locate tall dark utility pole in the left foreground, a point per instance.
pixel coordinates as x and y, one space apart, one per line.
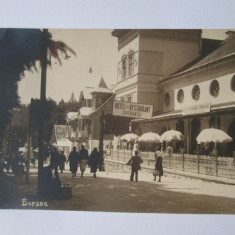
42 107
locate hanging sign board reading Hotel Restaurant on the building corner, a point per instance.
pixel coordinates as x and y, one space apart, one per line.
132 110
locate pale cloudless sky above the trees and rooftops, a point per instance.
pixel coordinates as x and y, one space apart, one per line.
96 49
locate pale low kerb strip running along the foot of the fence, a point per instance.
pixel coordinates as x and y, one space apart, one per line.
185 174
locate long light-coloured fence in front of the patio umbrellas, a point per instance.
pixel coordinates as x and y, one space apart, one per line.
220 166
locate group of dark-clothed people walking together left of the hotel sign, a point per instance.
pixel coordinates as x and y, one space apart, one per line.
75 159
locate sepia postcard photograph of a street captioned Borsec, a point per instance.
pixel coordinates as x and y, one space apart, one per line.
117 120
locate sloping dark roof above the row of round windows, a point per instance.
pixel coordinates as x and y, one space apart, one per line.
223 50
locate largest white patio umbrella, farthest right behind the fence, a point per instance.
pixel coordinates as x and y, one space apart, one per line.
213 135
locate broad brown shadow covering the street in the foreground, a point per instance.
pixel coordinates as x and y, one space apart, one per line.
117 195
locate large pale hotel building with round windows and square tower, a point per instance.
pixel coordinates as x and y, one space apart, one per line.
190 81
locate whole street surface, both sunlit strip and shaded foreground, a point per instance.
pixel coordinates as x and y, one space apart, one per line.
113 192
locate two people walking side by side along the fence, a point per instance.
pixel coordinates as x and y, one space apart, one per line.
136 161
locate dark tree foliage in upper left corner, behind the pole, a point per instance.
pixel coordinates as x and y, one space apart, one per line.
19 51
